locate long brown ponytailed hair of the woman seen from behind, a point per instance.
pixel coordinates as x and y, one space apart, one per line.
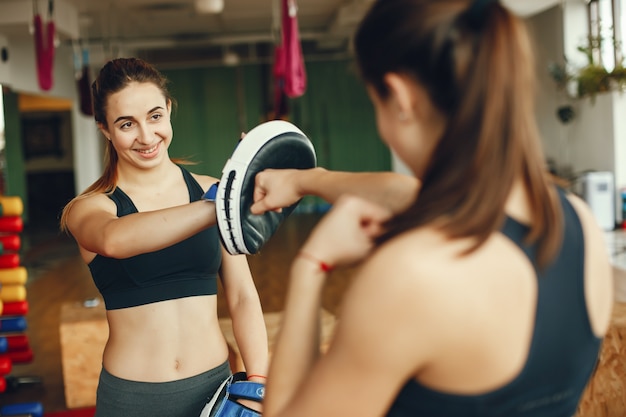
475 60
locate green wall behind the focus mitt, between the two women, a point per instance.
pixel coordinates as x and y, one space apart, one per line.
216 104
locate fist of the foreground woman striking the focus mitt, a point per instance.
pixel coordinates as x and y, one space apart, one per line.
275 189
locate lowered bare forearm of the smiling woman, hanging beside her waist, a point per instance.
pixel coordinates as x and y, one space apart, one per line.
246 314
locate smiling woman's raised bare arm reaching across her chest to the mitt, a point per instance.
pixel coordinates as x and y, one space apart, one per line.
94 224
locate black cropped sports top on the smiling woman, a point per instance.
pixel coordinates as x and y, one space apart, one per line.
188 268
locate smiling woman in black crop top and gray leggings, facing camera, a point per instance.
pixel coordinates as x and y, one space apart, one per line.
156 259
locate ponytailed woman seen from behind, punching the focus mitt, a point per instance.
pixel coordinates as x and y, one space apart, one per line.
489 293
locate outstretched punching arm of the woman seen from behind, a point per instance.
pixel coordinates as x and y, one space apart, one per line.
280 188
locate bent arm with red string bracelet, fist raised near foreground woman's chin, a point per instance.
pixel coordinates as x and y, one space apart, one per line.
371 355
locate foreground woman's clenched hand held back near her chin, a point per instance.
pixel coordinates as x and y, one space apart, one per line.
346 234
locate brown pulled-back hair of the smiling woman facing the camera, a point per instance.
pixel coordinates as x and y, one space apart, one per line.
114 76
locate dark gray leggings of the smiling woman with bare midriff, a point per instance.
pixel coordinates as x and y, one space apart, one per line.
117 397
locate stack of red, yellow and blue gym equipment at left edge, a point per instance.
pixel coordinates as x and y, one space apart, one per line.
14 345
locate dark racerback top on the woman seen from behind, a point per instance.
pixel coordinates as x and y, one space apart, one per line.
563 352
